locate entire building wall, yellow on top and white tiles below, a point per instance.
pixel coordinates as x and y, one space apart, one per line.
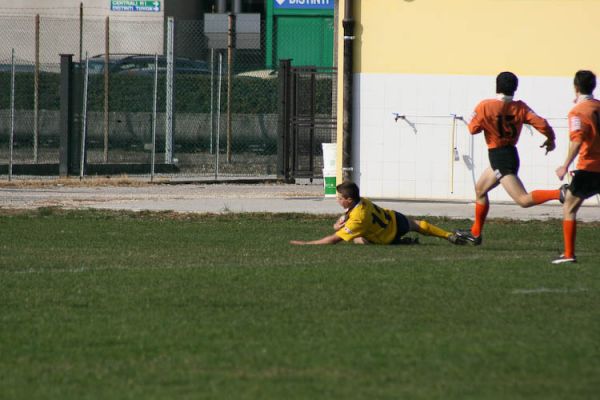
429 59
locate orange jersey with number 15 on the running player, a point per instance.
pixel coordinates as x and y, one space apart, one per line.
501 122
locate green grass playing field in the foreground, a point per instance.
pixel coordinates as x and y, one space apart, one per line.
99 305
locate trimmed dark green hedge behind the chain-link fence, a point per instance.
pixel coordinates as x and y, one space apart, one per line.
134 93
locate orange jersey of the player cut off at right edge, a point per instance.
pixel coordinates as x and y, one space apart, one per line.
584 127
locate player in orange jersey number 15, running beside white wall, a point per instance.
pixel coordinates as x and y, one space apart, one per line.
501 120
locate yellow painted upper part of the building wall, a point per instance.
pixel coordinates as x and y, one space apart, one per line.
536 38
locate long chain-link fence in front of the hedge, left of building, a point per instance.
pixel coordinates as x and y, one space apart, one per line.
225 105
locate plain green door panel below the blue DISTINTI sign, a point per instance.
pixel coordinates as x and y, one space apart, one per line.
306 40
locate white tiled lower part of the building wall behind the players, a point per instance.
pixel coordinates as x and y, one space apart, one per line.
413 158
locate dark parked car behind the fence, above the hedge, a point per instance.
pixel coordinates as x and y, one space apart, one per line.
143 64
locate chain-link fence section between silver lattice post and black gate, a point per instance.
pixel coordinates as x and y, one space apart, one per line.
233 109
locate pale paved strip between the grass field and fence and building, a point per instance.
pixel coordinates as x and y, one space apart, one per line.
248 197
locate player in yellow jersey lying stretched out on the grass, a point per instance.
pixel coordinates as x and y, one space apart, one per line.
364 222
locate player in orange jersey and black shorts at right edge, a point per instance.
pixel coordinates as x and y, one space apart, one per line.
584 135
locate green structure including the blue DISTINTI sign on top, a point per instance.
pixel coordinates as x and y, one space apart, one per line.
301 30
